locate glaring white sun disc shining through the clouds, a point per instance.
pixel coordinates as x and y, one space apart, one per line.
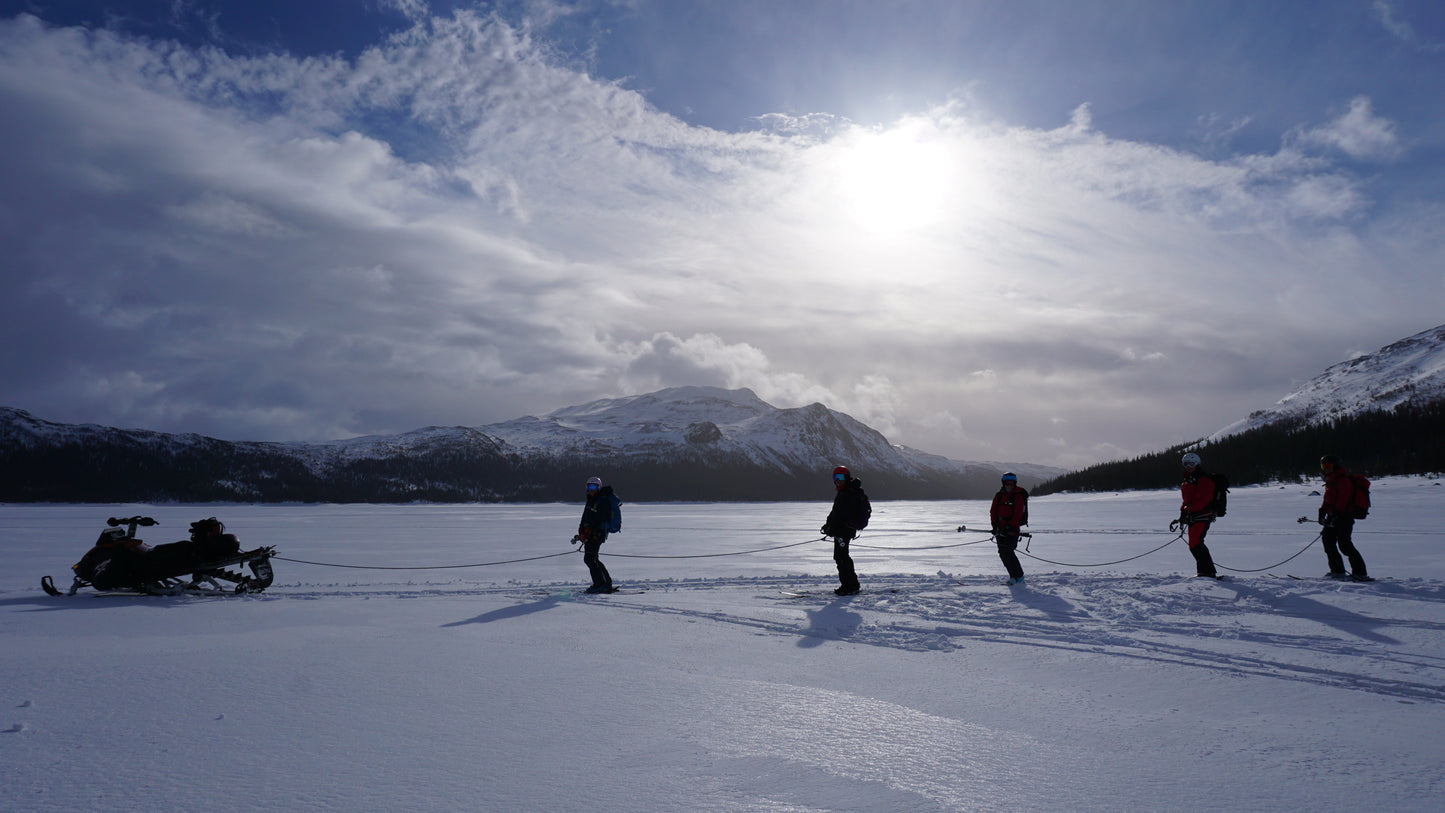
897 181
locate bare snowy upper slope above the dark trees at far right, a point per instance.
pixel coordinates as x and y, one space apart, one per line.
1410 370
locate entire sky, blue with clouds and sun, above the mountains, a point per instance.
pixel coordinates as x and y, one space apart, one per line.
1056 233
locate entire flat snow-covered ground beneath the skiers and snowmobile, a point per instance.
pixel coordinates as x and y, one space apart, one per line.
504 688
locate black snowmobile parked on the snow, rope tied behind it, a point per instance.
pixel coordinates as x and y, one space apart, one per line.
119 562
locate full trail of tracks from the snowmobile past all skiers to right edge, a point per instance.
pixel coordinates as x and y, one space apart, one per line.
1230 627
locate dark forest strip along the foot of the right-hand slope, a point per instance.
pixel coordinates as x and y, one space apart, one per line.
1407 440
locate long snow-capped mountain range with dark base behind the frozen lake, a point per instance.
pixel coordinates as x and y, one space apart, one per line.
681 444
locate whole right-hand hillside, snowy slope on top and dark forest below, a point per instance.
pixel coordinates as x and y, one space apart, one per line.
1384 414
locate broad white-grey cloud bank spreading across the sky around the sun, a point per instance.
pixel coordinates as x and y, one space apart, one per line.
457 227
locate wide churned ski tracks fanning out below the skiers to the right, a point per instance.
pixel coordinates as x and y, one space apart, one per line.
1189 623
